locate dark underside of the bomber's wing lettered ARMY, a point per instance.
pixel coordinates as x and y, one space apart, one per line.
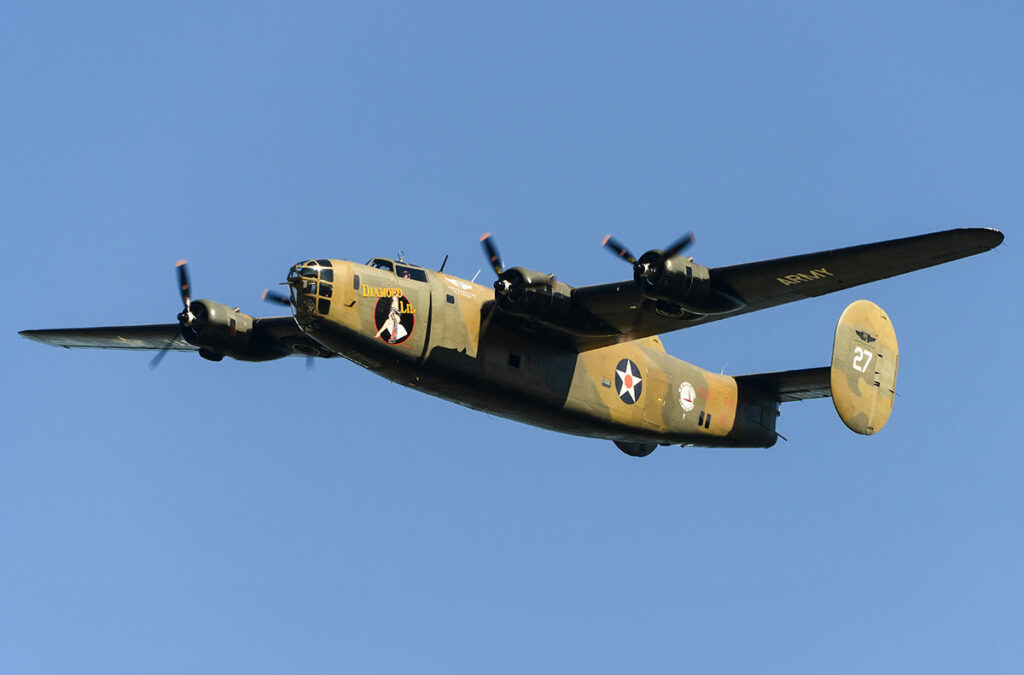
621 313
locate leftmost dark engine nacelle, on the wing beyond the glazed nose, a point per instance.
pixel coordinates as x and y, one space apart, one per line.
219 331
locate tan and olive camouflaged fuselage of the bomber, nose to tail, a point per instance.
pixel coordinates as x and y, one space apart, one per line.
453 354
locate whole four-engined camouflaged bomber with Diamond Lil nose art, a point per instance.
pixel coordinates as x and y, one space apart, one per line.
585 361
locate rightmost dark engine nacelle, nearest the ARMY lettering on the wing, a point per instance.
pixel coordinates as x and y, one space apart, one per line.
684 283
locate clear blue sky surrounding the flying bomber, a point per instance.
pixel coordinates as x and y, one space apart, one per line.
262 519
